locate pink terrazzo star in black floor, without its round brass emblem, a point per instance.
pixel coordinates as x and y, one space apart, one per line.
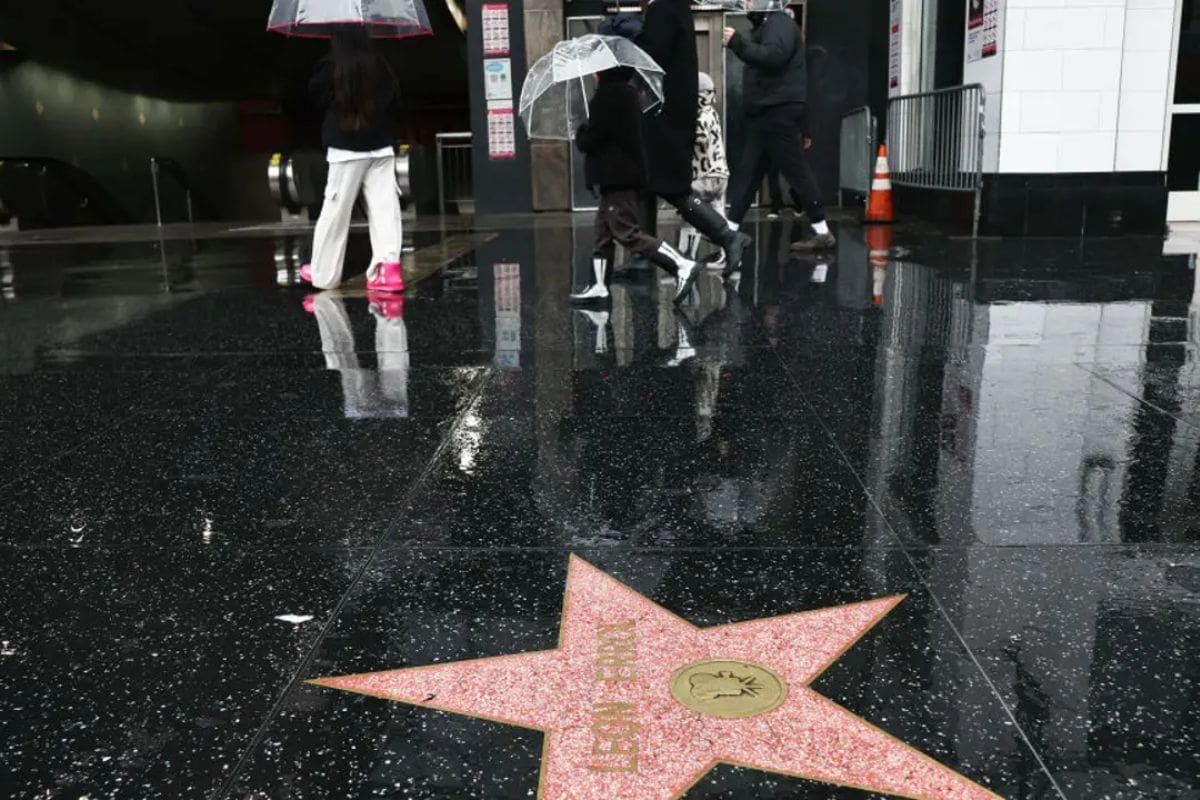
614 729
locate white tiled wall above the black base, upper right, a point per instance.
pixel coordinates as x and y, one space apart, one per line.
1082 85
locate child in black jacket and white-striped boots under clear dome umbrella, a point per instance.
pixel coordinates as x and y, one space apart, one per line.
616 166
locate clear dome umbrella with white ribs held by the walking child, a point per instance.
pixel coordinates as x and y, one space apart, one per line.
560 86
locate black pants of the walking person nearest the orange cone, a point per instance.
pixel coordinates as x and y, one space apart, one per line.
776 139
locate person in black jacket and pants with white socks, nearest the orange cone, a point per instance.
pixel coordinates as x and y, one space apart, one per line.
776 98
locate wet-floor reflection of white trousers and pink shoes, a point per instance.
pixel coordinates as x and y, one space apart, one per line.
369 394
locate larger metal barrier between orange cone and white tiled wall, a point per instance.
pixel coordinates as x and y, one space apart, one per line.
937 141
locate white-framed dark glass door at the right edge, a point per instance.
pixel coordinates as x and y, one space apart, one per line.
1184 127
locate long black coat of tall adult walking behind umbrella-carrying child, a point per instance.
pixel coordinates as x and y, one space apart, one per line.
669 37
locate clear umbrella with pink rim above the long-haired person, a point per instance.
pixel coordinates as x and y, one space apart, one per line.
382 19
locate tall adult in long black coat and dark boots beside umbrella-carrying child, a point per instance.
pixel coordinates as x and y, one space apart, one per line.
668 34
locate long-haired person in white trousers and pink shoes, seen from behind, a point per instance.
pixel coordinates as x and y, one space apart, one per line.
359 97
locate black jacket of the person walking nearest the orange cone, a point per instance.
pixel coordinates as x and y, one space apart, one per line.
776 73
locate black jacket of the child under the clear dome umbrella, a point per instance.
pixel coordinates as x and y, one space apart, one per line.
611 141
